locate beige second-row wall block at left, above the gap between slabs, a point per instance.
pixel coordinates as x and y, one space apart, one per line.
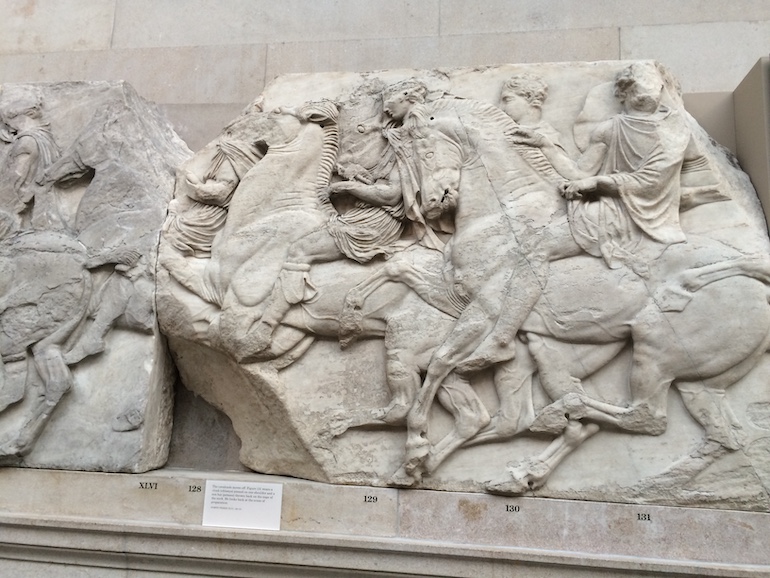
212 74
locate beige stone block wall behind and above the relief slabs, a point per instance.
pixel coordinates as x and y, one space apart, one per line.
203 61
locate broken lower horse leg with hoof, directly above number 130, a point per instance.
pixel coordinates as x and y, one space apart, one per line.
531 473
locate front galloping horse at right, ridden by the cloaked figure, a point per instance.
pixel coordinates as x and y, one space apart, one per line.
674 340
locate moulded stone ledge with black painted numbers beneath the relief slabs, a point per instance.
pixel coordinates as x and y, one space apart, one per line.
61 523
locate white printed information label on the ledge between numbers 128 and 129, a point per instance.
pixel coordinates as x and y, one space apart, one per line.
250 505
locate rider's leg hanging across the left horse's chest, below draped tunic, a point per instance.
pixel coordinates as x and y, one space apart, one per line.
292 285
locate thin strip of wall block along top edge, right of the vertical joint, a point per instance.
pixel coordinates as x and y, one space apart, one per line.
463 17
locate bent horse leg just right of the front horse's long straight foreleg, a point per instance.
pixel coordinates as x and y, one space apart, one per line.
470 415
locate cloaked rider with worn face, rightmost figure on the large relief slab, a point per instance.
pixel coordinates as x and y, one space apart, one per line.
623 197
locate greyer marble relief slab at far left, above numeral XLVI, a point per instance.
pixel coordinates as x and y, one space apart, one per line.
86 171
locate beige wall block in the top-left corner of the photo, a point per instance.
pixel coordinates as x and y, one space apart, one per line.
53 25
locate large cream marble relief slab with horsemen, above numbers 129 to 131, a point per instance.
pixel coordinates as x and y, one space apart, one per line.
540 279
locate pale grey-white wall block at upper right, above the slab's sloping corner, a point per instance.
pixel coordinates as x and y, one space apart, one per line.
711 57
